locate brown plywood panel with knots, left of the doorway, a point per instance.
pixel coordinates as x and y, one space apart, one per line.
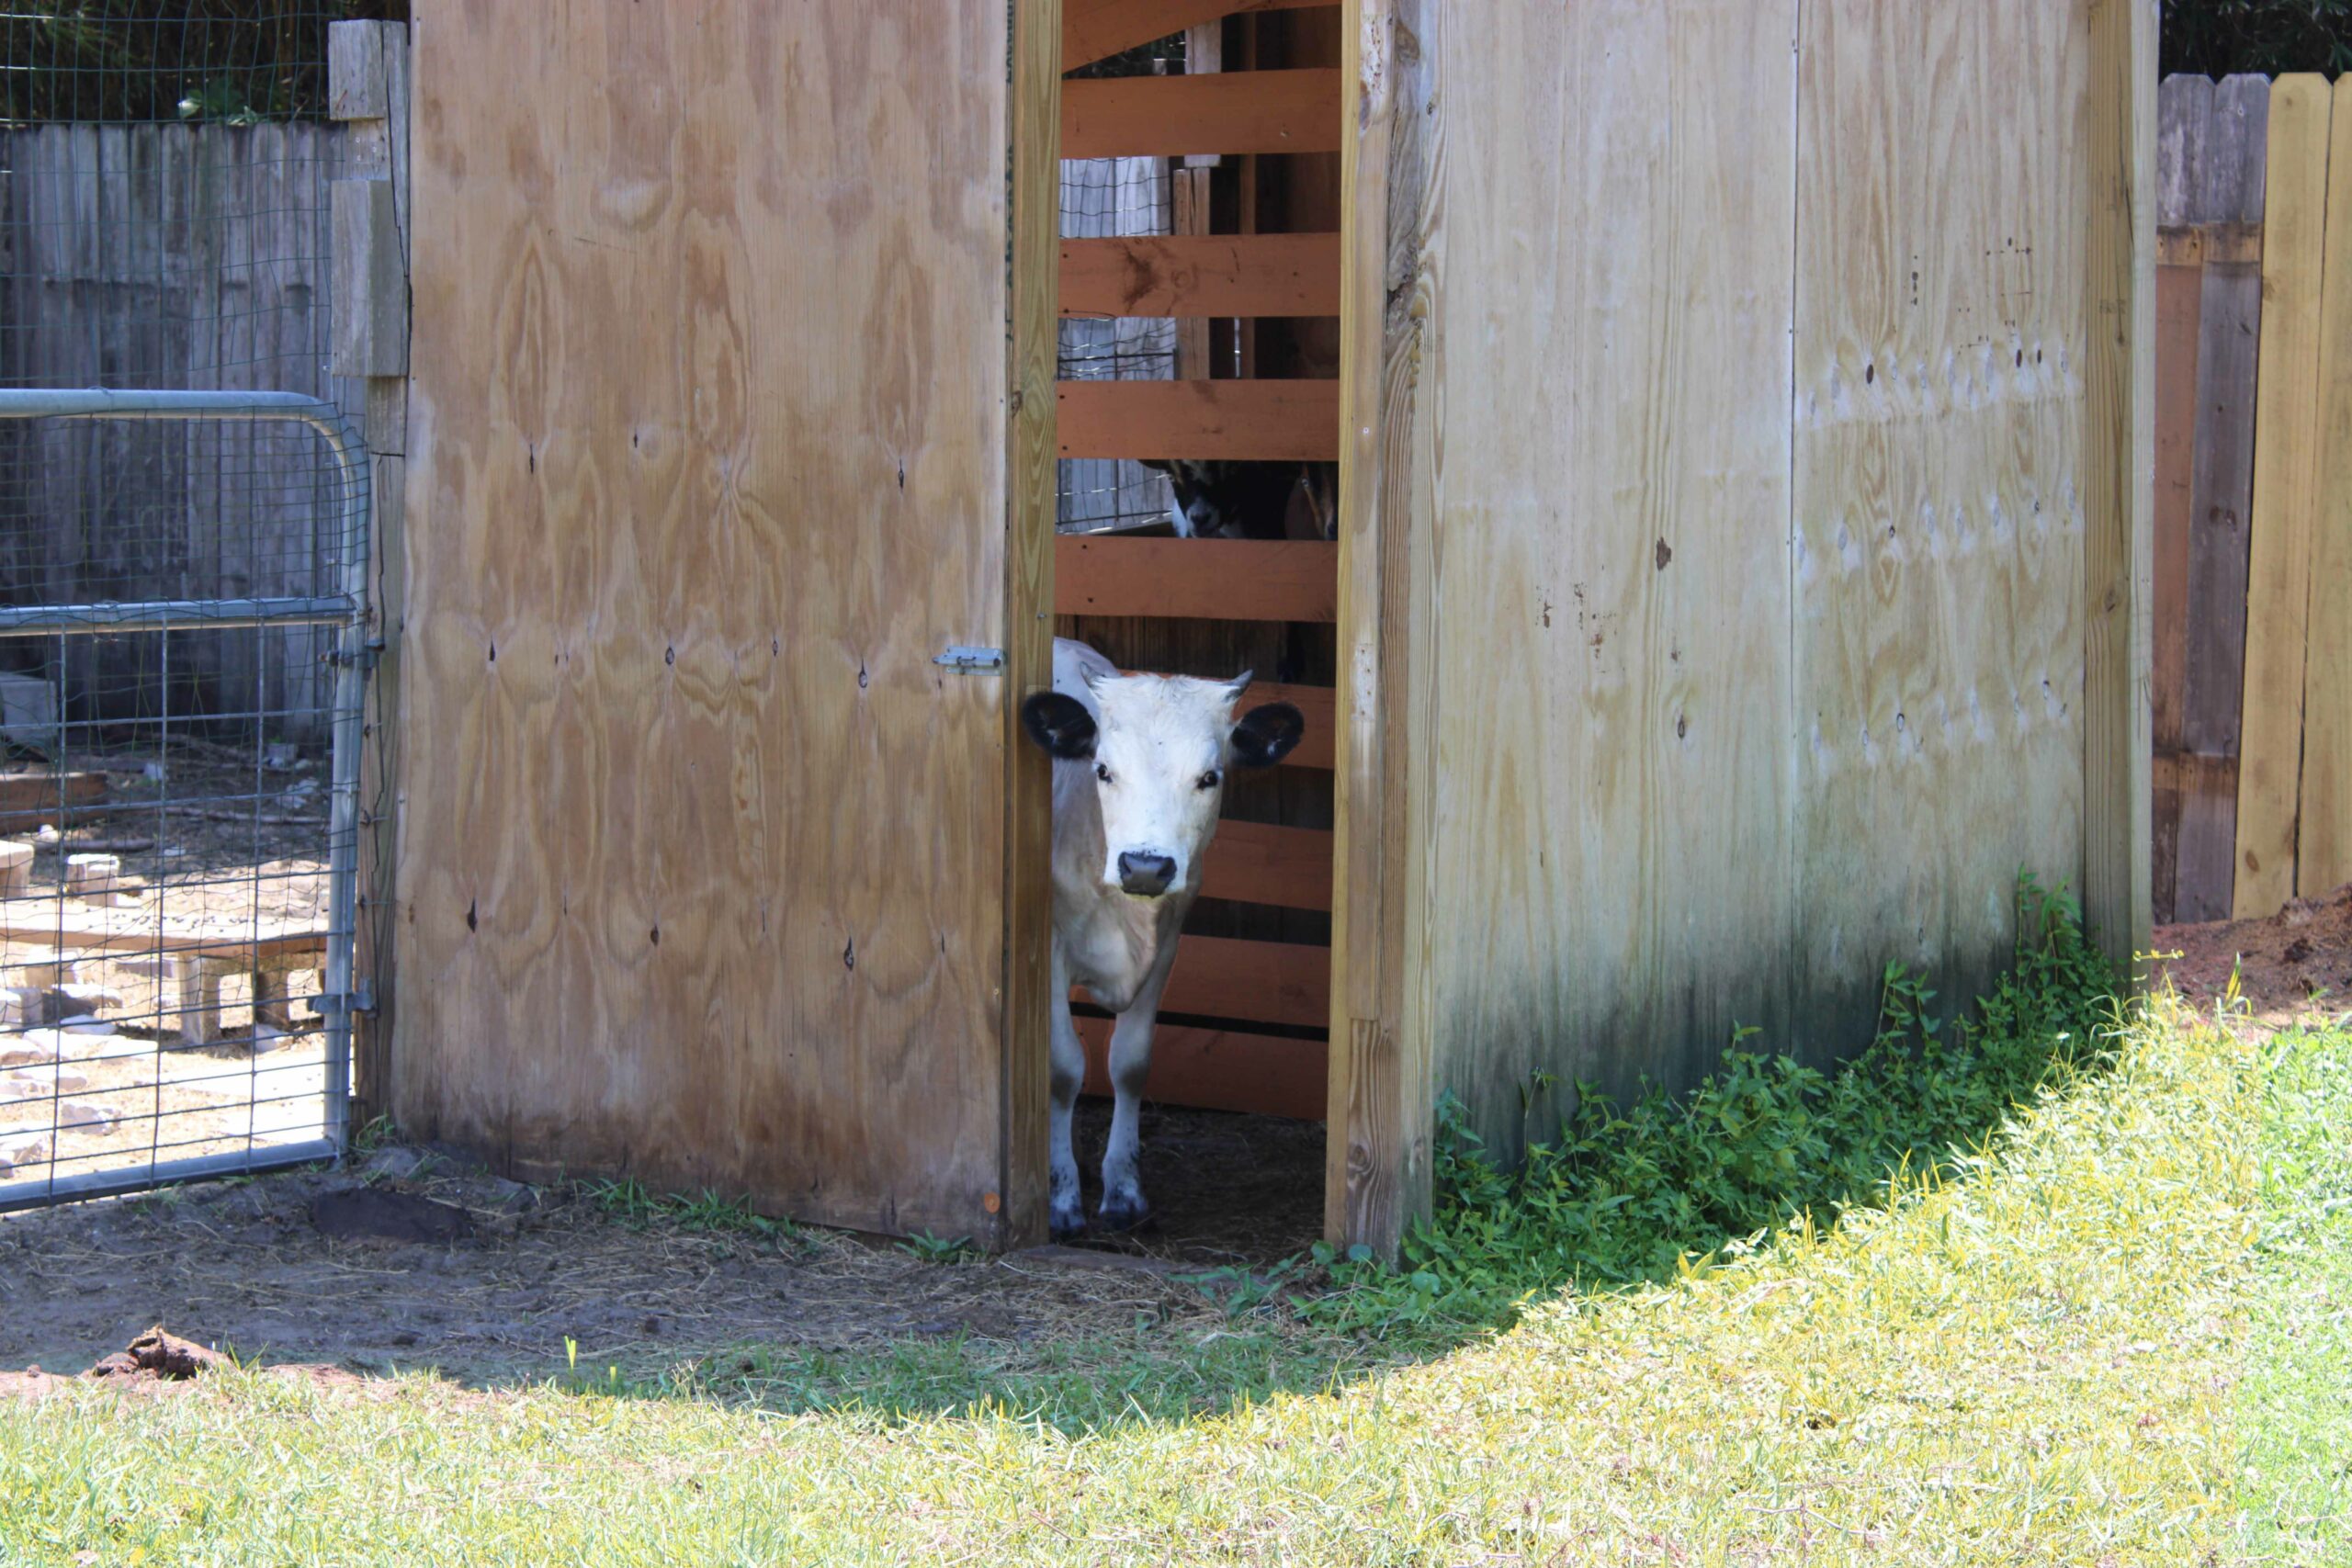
704 873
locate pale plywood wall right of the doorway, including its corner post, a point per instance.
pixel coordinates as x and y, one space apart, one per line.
1732 436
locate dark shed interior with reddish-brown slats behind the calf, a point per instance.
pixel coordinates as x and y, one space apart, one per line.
1198 297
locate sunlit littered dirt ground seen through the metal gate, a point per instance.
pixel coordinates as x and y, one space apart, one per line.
218 843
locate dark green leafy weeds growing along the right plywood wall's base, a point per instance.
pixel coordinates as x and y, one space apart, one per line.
1636 1193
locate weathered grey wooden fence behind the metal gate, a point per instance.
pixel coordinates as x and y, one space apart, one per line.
171 257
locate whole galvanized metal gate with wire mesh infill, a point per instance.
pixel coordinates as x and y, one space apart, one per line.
180 810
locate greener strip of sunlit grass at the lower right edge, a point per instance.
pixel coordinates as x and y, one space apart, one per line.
2299 1365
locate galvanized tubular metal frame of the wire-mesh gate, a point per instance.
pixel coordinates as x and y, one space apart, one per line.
352 659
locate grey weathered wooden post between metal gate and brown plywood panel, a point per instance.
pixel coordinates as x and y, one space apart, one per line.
368 91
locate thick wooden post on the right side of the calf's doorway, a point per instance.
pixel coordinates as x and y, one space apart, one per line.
1382 1104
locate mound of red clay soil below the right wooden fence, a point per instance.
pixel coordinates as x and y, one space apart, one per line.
2292 967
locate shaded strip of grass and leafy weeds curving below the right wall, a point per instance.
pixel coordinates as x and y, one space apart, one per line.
1624 1195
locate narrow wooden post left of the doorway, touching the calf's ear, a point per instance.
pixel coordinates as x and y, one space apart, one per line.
1029 617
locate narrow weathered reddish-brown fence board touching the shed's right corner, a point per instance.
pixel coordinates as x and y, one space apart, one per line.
2184 112
